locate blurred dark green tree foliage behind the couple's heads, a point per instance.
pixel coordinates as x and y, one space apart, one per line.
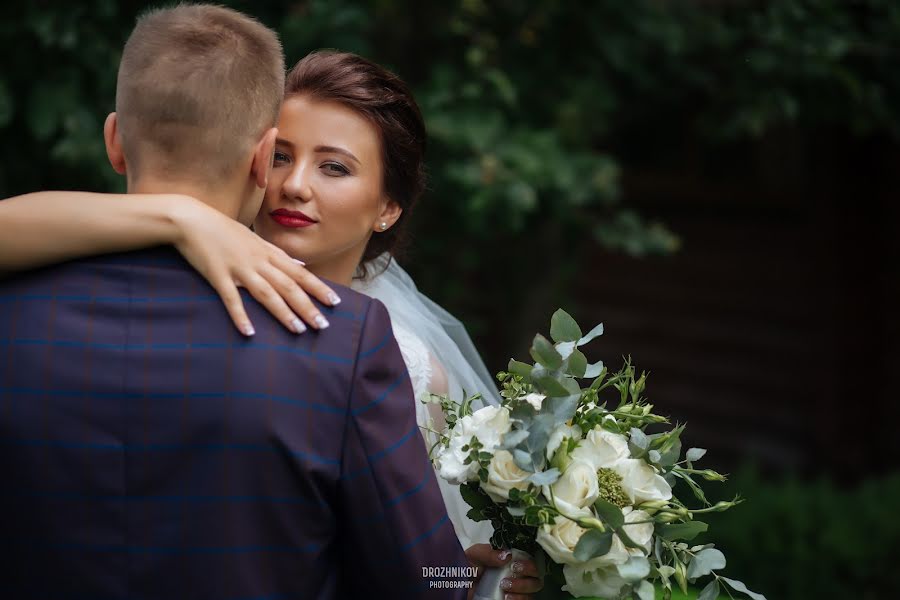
533 106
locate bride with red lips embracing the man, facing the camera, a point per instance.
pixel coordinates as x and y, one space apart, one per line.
348 168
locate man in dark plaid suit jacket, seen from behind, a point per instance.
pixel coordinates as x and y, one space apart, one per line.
148 451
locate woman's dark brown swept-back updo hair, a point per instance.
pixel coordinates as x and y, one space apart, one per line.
385 101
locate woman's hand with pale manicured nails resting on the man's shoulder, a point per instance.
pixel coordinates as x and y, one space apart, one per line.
229 256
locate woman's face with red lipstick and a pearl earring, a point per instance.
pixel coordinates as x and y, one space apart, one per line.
325 197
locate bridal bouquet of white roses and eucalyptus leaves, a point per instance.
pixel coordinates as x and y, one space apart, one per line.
584 474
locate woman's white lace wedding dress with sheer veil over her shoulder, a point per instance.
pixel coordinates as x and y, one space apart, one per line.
441 359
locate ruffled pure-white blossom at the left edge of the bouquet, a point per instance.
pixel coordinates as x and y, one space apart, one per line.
488 424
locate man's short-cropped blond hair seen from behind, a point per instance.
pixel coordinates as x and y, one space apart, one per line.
198 85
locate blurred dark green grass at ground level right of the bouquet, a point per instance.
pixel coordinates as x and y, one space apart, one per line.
795 540
